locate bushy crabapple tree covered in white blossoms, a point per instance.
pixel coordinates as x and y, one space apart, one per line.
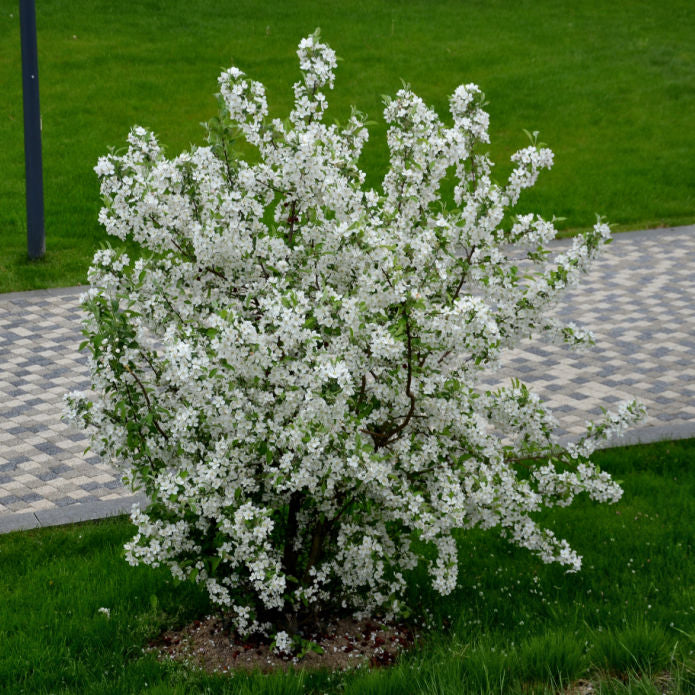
291 371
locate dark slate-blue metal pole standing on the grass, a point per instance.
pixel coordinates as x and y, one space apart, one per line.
36 242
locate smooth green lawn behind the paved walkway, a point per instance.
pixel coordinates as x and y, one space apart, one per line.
610 87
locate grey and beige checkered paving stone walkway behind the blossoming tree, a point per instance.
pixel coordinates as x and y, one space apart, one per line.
639 300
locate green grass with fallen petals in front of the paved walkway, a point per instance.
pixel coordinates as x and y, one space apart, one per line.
514 625
